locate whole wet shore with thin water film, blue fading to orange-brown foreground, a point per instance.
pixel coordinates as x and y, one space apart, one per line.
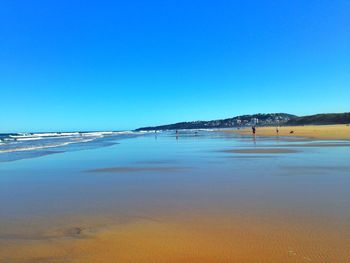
266 199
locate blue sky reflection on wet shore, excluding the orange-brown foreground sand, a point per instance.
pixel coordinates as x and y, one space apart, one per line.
264 179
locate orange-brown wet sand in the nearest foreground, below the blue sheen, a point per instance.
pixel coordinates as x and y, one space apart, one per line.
204 240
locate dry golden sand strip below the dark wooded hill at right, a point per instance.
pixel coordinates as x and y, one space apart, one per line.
330 132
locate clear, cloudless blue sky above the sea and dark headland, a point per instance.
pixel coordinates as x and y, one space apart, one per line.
97 65
